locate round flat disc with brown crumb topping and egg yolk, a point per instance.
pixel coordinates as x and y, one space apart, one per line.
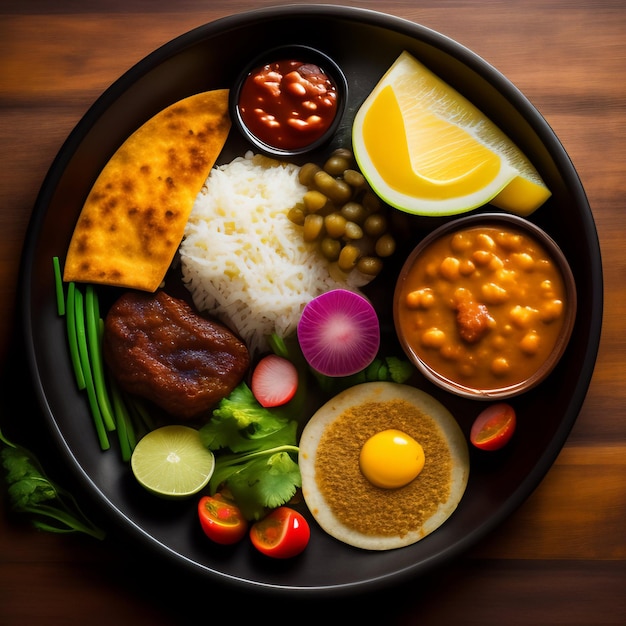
383 465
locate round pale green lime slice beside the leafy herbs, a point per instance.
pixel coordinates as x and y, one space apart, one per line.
172 462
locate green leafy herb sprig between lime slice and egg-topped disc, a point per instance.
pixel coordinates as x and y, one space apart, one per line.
253 450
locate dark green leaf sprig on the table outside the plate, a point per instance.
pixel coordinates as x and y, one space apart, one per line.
50 507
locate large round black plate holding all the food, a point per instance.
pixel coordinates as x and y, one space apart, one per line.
364 43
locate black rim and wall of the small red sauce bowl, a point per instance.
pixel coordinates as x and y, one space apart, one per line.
306 55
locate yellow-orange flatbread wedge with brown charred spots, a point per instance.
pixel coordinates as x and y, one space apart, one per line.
134 217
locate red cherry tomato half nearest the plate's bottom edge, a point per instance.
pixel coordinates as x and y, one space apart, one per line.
282 534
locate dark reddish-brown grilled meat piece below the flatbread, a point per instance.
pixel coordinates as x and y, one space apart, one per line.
157 347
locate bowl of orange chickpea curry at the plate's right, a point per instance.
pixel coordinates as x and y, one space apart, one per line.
485 305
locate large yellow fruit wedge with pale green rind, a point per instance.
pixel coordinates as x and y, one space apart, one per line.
427 150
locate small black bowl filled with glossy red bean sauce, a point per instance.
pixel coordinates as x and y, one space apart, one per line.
289 100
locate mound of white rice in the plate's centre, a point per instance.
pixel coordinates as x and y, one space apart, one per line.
242 259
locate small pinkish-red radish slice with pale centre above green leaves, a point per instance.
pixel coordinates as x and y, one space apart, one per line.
274 381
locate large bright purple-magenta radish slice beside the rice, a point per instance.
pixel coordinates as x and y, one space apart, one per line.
339 333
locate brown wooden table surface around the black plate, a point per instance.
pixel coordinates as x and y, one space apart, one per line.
560 558
